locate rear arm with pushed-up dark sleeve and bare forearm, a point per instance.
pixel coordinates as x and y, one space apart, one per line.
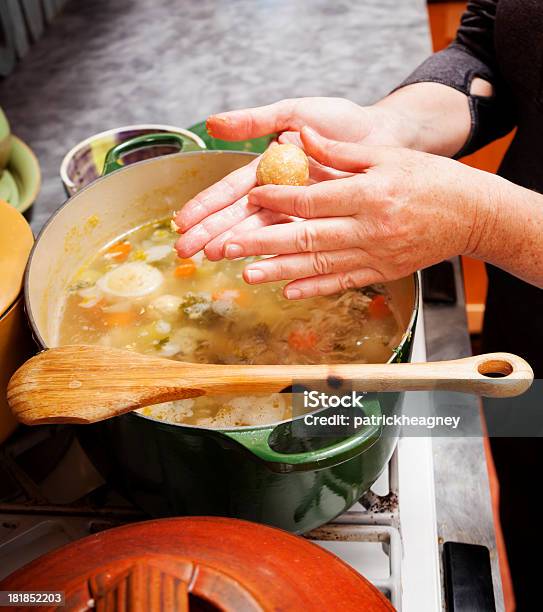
457 100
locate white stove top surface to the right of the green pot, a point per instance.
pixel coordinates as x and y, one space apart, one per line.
396 550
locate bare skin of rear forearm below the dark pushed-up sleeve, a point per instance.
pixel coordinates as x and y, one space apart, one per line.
431 117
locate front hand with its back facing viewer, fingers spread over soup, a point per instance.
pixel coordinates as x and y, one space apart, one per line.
399 211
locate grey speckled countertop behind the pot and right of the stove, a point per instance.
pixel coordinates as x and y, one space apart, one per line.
103 64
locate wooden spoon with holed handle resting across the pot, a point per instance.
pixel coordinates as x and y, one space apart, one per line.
85 384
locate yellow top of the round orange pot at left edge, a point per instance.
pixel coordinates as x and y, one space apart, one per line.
15 243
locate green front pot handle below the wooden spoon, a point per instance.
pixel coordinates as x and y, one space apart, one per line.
257 442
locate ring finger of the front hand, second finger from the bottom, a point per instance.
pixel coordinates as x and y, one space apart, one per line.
301 265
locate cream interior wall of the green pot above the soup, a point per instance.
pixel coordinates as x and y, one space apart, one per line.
106 209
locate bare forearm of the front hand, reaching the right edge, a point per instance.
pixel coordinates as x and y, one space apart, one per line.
508 229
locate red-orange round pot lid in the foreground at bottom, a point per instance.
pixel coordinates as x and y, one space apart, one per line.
199 563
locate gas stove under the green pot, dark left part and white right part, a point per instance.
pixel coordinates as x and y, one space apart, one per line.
50 495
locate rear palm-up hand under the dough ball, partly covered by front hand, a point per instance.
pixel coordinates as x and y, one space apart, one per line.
219 212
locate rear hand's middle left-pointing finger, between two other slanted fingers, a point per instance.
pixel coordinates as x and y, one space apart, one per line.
198 236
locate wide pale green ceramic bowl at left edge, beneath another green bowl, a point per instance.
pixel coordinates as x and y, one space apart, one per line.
24 167
